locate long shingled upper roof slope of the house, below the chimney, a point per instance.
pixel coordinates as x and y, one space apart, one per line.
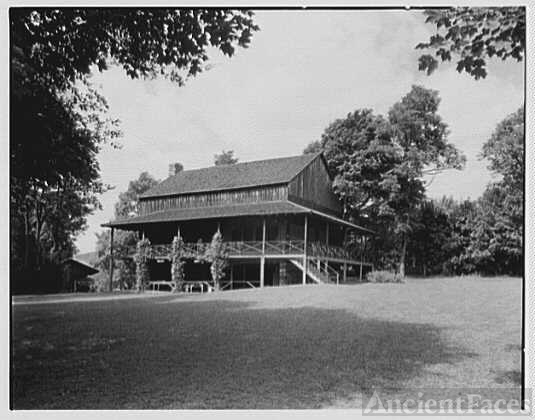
228 177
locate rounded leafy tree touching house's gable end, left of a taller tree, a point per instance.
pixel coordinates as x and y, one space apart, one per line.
362 155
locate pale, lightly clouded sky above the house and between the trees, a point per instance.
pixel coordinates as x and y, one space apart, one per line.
303 70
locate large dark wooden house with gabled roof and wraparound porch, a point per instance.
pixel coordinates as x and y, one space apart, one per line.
280 221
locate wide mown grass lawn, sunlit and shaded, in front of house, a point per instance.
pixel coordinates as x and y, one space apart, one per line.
287 347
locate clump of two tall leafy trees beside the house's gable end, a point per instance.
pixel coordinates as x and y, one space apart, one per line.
379 166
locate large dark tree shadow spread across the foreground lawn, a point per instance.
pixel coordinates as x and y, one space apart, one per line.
212 354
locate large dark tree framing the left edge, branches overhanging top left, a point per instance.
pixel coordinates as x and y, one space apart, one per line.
58 121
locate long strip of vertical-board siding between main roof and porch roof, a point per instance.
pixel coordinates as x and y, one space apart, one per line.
214 199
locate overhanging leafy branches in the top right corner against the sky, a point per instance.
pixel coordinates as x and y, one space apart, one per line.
474 35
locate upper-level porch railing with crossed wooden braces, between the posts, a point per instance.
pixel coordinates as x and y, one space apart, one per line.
254 248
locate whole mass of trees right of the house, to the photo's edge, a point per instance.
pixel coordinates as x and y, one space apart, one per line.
380 165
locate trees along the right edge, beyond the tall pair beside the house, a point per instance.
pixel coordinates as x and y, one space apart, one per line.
484 235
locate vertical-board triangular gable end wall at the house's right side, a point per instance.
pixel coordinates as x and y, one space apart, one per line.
313 188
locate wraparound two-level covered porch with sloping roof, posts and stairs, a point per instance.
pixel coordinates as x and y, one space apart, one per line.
266 249
